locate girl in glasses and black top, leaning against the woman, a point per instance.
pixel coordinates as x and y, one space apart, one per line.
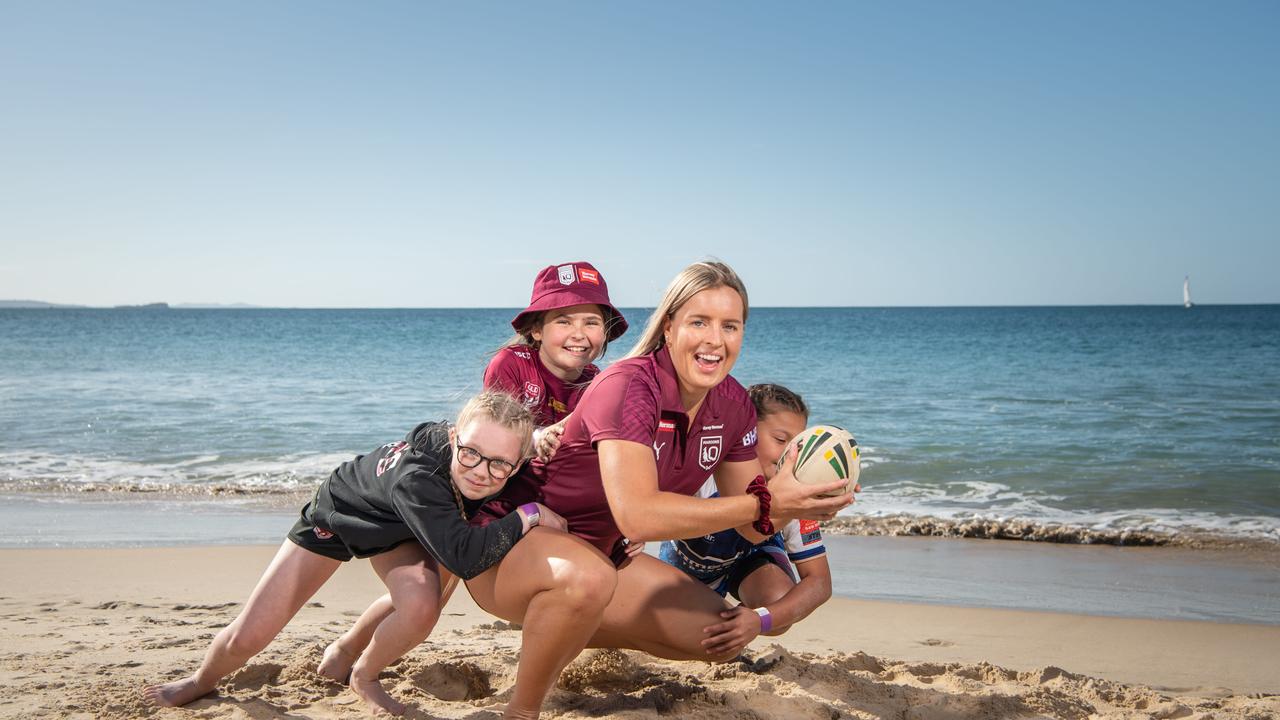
406 507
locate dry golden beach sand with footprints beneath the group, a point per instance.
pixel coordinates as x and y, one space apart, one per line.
85 631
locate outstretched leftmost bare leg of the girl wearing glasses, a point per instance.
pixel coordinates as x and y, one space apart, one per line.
289 582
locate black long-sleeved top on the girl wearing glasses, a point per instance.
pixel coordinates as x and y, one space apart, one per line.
403 491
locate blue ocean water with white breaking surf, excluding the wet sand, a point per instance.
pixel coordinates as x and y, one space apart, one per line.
1108 418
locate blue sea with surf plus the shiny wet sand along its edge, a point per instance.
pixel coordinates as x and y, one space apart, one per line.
144 427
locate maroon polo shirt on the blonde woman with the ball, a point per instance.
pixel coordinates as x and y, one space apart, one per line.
636 400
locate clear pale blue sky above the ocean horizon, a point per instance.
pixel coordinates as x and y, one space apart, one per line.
429 154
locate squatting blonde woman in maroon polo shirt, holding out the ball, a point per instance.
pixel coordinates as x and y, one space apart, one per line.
643 440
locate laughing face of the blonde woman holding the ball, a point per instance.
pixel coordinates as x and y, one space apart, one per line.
705 338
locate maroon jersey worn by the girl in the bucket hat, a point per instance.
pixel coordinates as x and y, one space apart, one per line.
518 371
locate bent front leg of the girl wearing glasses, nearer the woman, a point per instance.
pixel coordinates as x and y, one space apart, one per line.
414 580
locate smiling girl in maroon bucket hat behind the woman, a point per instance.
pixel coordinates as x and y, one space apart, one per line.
568 326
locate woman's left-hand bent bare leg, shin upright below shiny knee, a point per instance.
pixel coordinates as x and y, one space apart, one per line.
557 587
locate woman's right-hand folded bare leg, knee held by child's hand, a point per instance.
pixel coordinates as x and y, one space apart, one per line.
662 612
